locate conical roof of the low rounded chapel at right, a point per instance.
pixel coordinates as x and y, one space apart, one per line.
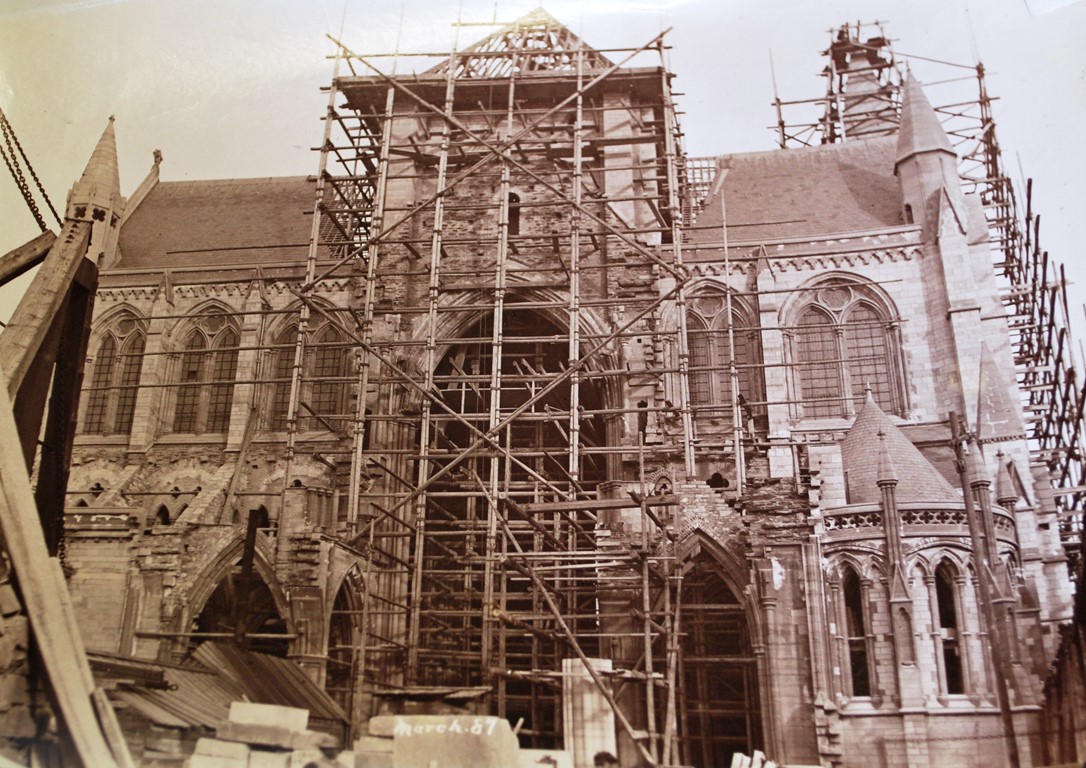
917 480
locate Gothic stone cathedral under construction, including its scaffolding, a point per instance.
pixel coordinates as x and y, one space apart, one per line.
514 410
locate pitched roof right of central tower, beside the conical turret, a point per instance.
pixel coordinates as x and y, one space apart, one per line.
815 192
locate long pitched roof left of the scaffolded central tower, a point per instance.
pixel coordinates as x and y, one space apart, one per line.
219 223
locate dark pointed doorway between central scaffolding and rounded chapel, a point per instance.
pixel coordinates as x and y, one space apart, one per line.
721 709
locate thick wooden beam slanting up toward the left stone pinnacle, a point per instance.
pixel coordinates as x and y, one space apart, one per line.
29 326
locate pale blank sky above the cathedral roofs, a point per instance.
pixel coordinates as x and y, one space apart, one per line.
231 89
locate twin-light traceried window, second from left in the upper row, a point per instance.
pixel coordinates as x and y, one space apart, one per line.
208 369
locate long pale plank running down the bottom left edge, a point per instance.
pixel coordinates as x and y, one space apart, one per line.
44 594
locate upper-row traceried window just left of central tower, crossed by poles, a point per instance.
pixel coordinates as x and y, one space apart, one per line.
325 381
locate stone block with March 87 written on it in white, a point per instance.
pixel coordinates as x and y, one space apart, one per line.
462 741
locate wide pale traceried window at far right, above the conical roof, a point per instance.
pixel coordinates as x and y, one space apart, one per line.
844 342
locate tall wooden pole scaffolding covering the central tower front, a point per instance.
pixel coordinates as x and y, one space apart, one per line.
502 218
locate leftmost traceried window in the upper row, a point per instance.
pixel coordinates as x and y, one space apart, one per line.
115 382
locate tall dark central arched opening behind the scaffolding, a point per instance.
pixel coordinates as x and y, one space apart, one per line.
482 622
